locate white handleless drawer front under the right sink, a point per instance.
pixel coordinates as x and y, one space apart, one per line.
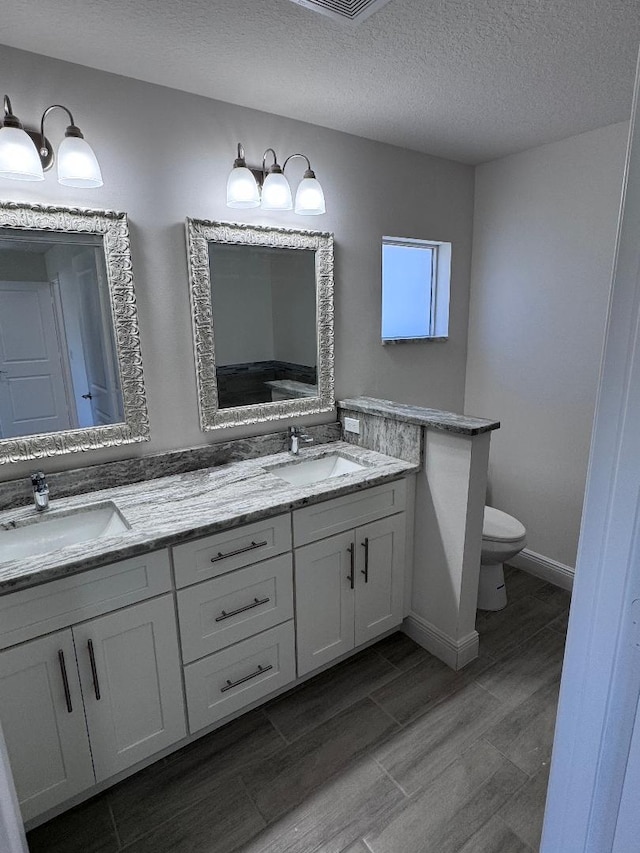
340 514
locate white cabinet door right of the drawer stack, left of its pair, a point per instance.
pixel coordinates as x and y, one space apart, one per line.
324 600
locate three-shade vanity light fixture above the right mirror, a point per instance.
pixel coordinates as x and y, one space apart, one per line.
269 188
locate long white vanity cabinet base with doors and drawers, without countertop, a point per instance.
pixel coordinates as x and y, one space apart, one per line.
95 667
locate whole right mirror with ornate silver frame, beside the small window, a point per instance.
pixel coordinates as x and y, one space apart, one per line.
262 310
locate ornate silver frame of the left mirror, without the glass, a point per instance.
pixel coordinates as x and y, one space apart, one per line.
114 229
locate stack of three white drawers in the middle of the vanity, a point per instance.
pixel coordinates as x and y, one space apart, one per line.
236 629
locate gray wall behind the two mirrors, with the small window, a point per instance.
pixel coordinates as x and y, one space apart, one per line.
165 155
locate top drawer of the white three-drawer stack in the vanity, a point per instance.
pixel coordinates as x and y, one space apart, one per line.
232 549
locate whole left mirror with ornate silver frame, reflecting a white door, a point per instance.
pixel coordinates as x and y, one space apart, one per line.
70 362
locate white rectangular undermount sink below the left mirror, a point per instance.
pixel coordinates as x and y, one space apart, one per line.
50 531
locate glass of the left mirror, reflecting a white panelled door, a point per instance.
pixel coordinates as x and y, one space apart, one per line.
58 366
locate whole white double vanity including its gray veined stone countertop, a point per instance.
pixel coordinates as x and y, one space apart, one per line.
226 586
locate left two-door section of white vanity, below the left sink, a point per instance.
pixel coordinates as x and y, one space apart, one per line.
109 687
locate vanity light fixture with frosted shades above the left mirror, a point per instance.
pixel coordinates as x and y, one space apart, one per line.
25 154
